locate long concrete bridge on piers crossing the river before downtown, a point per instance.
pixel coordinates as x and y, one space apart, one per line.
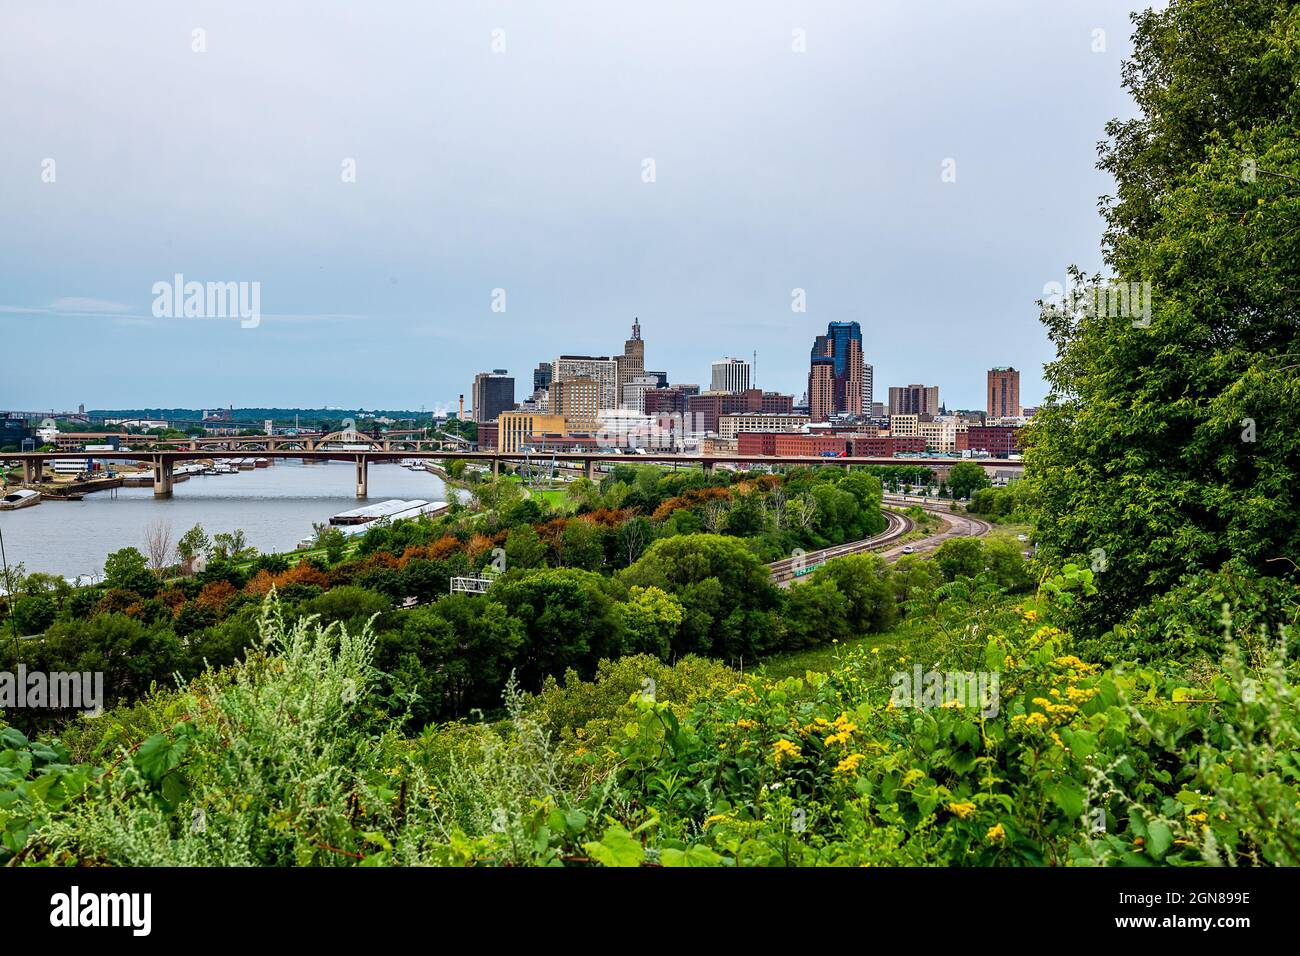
164 461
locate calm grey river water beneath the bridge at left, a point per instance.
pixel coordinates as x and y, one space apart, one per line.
275 507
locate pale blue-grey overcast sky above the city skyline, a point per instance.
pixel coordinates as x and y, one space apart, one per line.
525 170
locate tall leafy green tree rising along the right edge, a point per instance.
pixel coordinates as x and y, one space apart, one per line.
1171 439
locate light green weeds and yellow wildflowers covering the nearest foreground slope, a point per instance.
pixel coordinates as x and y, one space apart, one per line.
294 758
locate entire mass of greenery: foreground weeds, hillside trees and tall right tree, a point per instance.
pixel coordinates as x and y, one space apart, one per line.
632 690
